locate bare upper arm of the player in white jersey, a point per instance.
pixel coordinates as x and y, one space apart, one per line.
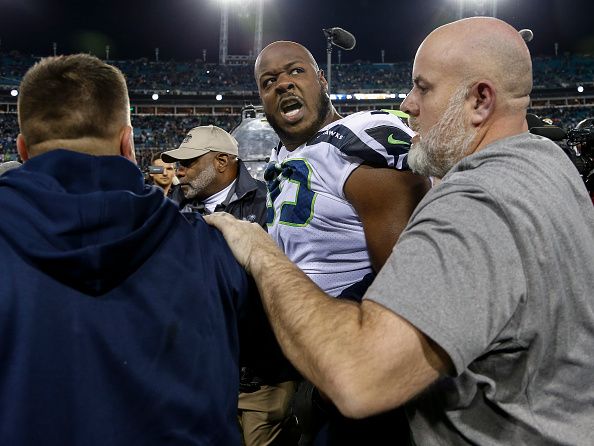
384 200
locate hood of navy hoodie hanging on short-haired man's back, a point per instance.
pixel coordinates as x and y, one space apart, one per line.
87 221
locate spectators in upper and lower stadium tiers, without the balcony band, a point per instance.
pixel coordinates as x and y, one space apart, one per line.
163 132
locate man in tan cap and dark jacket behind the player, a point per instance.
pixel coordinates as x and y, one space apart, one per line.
213 178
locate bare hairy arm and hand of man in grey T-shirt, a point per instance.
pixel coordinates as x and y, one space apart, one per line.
363 356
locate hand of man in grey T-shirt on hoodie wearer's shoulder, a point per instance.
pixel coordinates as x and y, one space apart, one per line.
244 238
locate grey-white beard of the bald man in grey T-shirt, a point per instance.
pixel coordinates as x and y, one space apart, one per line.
446 143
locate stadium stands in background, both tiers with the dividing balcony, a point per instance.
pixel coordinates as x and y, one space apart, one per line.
162 127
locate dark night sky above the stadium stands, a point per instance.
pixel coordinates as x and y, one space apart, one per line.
183 28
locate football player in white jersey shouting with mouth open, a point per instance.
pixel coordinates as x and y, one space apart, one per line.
339 195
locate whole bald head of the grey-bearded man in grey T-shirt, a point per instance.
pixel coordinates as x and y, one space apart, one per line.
472 81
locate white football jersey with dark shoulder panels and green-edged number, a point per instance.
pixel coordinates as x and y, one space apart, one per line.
308 214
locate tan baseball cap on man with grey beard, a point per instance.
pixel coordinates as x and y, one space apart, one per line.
201 140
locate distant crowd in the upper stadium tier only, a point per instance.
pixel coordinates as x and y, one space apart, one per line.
179 77
